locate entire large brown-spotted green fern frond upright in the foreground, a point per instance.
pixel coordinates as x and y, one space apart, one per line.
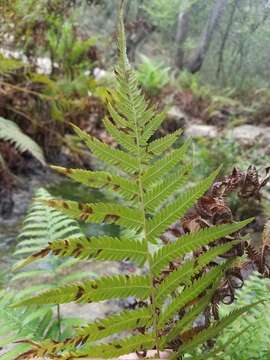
147 175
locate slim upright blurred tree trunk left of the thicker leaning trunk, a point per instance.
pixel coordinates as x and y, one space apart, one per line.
180 37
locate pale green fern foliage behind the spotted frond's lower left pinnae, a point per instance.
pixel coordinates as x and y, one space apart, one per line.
36 323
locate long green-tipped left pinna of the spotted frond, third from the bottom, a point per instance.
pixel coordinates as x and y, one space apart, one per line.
106 288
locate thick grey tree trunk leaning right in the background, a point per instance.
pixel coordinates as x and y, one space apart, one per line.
198 57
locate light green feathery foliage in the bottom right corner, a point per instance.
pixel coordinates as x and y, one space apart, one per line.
253 328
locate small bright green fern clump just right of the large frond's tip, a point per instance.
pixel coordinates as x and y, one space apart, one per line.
152 76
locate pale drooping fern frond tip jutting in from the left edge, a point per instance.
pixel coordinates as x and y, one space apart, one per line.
9 131
